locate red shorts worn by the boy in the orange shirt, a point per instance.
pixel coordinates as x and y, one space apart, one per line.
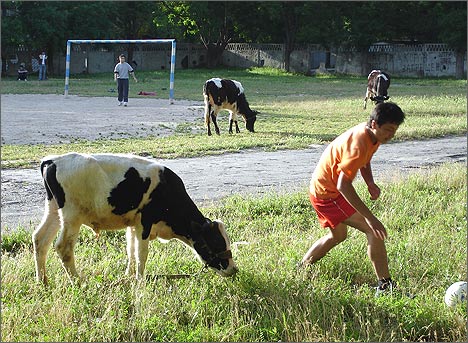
331 212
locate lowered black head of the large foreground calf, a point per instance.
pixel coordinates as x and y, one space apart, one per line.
212 245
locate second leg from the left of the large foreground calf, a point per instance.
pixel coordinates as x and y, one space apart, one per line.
65 244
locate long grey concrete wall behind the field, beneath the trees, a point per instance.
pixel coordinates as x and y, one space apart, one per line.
400 60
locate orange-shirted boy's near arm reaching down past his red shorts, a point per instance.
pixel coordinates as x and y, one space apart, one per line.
345 187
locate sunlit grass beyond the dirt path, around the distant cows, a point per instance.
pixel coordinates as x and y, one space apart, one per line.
296 111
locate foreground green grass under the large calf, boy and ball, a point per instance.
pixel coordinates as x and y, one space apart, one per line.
268 300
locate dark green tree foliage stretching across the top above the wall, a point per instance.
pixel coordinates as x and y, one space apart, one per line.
48 24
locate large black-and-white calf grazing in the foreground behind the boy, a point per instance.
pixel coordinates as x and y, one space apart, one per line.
114 191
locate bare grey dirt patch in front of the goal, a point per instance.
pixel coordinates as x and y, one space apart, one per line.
49 119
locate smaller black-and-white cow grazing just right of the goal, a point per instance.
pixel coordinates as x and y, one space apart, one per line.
221 94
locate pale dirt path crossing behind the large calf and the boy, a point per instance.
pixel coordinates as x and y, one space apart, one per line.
212 178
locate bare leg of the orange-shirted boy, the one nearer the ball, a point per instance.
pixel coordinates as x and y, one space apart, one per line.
375 247
